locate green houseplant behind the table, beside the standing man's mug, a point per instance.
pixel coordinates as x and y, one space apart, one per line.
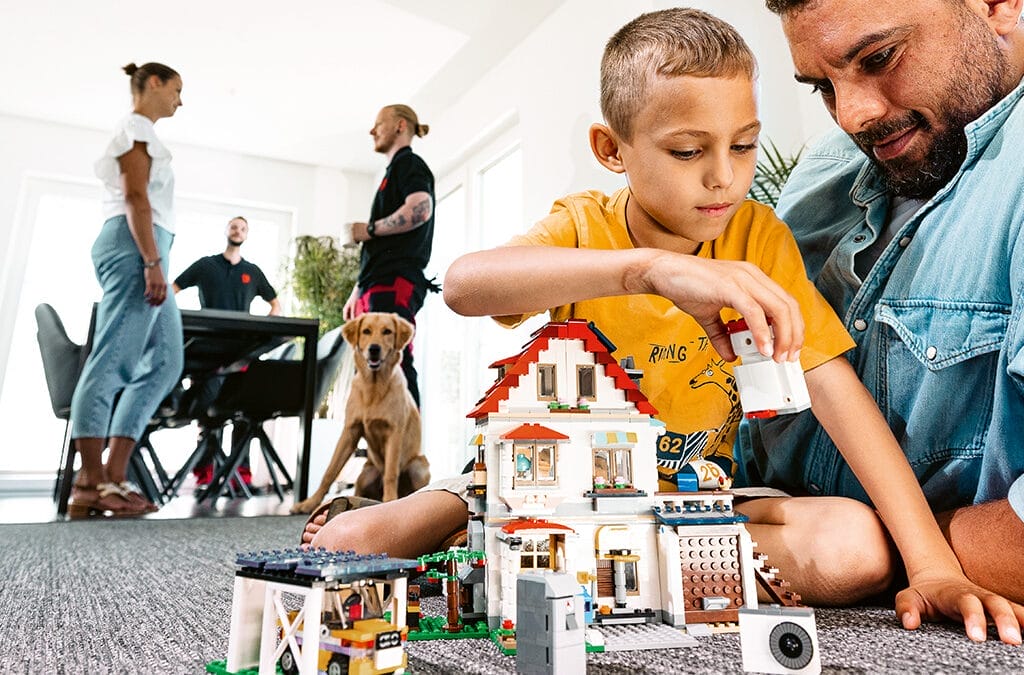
323 275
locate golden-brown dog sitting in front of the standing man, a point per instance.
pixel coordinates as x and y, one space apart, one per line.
380 410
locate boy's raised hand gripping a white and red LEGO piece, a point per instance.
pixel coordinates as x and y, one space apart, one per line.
701 288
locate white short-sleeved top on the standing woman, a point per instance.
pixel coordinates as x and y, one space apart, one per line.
161 187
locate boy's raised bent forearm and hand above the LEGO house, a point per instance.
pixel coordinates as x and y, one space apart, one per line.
516 280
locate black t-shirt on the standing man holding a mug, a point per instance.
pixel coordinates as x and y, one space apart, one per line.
407 255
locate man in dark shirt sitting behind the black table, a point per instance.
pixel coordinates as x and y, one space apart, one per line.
226 281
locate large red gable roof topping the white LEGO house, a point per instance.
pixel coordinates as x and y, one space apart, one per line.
574 329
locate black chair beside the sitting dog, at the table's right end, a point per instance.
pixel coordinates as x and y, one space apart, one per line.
269 390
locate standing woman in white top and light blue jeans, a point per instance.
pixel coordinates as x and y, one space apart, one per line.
138 354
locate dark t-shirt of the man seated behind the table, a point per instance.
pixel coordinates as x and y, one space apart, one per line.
224 286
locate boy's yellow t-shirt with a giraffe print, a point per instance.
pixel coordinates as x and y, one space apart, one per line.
685 377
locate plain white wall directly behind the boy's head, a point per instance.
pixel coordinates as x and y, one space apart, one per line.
550 81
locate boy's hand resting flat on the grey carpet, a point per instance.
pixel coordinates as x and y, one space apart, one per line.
960 600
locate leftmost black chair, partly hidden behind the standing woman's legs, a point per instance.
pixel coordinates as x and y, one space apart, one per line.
63 363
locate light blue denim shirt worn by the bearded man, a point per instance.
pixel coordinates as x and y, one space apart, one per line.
938 320
